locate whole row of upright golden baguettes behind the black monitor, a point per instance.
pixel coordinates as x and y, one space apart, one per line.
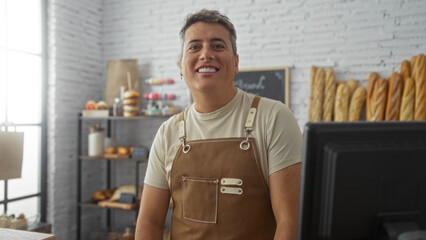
400 97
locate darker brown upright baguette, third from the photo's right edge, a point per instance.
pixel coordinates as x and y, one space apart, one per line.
393 104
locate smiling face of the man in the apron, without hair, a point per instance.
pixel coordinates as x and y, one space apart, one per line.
208 63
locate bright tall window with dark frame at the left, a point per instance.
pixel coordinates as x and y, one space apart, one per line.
22 101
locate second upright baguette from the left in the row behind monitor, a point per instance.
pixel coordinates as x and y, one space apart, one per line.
329 94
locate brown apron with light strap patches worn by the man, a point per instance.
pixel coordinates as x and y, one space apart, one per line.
219 190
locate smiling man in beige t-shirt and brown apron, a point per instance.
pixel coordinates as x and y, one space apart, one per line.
230 162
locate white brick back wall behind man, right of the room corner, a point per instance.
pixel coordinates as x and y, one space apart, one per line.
354 37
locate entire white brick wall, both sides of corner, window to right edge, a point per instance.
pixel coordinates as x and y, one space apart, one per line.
354 37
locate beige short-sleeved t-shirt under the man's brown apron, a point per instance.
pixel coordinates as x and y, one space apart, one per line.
276 132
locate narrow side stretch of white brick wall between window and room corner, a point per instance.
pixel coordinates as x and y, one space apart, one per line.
75 70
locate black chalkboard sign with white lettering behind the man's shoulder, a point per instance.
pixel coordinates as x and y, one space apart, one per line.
266 82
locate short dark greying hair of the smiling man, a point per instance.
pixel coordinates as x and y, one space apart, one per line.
210 16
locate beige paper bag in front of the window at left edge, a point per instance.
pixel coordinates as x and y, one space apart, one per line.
11 154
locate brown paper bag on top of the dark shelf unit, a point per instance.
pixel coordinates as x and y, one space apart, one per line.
117 77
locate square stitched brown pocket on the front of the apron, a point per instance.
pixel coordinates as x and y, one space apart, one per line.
200 199
